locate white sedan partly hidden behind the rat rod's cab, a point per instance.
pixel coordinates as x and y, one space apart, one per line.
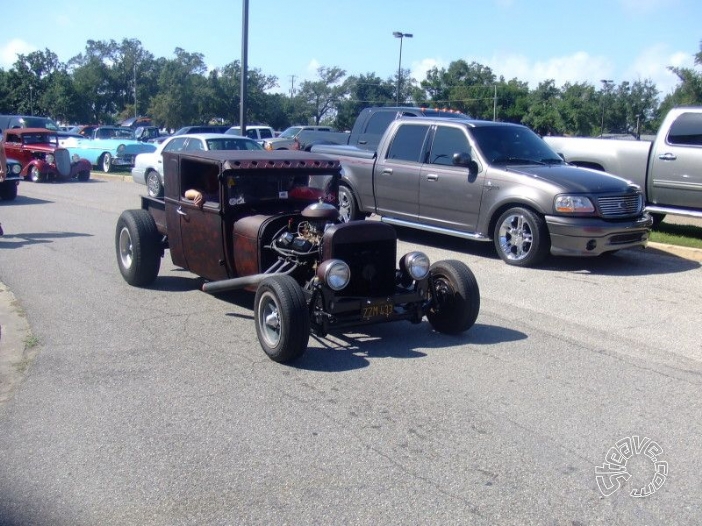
148 167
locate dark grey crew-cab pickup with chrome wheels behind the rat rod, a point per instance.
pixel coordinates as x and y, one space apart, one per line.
490 181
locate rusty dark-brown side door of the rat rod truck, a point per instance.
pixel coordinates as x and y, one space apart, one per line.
201 228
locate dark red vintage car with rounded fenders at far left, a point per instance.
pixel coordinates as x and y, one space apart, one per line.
41 156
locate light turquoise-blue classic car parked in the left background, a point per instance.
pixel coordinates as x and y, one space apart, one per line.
108 147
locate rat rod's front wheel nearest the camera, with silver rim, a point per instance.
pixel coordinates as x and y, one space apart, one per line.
282 318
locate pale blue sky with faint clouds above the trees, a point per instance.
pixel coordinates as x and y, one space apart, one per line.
531 40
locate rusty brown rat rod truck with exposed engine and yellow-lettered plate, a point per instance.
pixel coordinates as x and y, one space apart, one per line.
273 227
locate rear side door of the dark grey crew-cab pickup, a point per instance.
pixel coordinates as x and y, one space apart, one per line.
396 175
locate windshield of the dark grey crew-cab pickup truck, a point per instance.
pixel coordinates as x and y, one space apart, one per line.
513 145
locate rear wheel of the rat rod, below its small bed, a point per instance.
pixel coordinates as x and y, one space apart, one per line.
137 246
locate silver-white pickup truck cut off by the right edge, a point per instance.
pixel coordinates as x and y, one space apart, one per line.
669 169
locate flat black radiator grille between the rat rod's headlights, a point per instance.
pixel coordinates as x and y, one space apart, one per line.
372 265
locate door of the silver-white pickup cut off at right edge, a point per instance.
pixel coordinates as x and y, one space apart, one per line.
675 170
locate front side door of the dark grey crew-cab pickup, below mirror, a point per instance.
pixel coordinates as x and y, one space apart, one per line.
449 196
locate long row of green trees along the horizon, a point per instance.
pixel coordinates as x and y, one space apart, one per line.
111 81
